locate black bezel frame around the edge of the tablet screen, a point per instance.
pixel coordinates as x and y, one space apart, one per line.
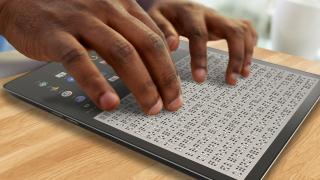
165 156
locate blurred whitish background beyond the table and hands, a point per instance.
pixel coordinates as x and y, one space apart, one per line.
290 26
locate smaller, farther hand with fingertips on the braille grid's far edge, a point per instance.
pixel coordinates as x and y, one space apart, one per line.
200 25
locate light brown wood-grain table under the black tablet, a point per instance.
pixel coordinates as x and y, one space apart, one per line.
37 145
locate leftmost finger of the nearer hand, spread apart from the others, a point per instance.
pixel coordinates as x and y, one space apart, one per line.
63 47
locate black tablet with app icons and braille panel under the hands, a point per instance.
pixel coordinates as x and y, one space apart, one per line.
221 132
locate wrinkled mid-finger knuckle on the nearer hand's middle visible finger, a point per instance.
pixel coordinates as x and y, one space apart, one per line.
123 52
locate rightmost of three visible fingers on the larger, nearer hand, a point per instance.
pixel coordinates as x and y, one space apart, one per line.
155 56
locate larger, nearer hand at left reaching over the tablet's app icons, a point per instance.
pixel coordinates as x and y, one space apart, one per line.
119 30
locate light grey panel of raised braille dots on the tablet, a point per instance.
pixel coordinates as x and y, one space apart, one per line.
224 128
